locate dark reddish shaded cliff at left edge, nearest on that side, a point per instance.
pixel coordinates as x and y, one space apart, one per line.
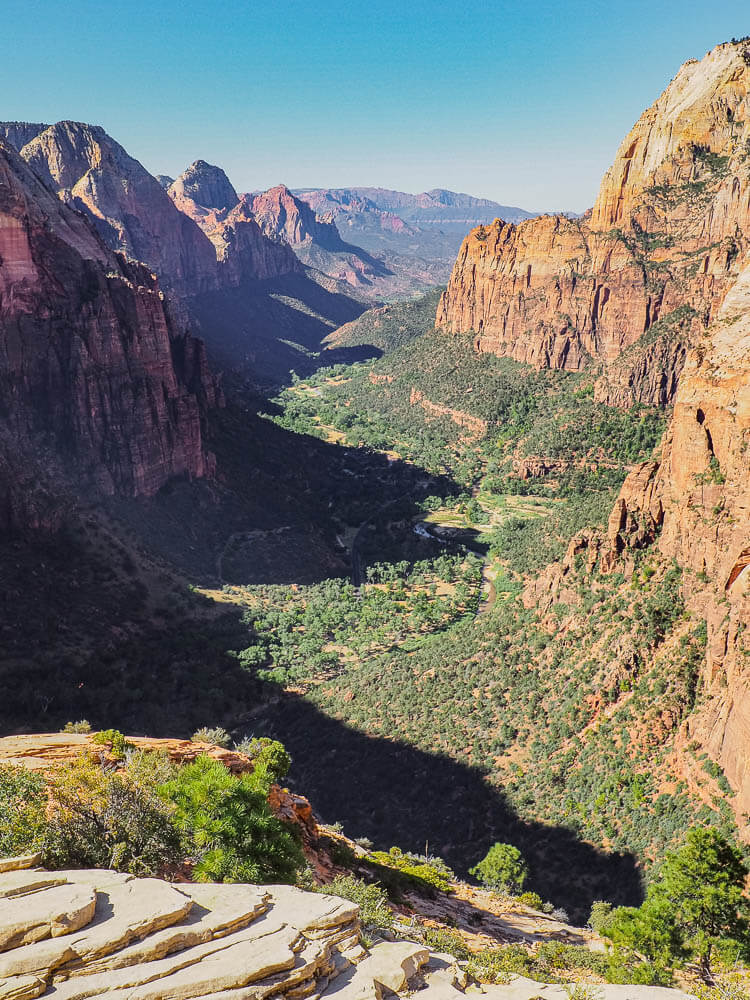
92 363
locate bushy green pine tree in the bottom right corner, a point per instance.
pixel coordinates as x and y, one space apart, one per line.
696 903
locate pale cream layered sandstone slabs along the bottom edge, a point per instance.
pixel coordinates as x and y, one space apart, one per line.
73 935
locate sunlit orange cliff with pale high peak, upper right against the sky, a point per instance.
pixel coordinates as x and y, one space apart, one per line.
646 270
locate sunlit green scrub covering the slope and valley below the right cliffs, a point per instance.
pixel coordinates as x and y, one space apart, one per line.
569 711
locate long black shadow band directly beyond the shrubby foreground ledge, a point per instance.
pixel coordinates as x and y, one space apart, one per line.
397 794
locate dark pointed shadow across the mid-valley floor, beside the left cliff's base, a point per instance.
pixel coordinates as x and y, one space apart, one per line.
282 507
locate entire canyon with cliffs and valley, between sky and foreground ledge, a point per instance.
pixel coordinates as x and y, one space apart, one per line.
189 475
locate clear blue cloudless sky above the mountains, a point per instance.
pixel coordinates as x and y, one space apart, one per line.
522 102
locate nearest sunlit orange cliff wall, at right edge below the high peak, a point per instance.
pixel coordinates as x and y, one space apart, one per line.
696 501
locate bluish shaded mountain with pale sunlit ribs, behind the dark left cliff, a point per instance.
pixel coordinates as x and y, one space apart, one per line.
128 207
